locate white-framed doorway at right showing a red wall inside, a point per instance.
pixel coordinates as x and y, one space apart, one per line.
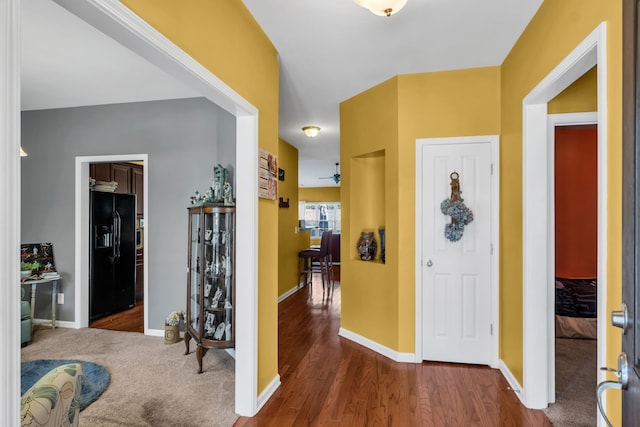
573 348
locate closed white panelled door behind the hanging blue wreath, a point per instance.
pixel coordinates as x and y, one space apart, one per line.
456 275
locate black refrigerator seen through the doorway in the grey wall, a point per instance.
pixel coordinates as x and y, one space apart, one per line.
112 257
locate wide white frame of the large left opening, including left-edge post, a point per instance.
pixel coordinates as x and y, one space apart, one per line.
118 22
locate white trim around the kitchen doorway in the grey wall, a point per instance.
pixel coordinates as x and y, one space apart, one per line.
82 198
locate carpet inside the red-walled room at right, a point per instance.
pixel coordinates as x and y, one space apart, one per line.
575 384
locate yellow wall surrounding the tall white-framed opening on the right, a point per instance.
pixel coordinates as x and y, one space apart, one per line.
558 27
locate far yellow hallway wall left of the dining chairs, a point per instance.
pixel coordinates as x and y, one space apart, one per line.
291 242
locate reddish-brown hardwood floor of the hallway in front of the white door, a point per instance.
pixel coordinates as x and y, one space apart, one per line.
327 380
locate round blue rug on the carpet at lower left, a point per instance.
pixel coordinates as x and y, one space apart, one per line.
95 378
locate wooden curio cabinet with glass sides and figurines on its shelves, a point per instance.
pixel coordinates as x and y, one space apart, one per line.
210 279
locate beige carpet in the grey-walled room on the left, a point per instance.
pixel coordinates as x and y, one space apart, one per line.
152 384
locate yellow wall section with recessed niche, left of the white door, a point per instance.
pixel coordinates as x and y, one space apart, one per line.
368 125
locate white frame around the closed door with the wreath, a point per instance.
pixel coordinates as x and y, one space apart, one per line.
494 141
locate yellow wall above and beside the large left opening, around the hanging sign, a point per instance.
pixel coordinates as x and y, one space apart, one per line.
224 37
